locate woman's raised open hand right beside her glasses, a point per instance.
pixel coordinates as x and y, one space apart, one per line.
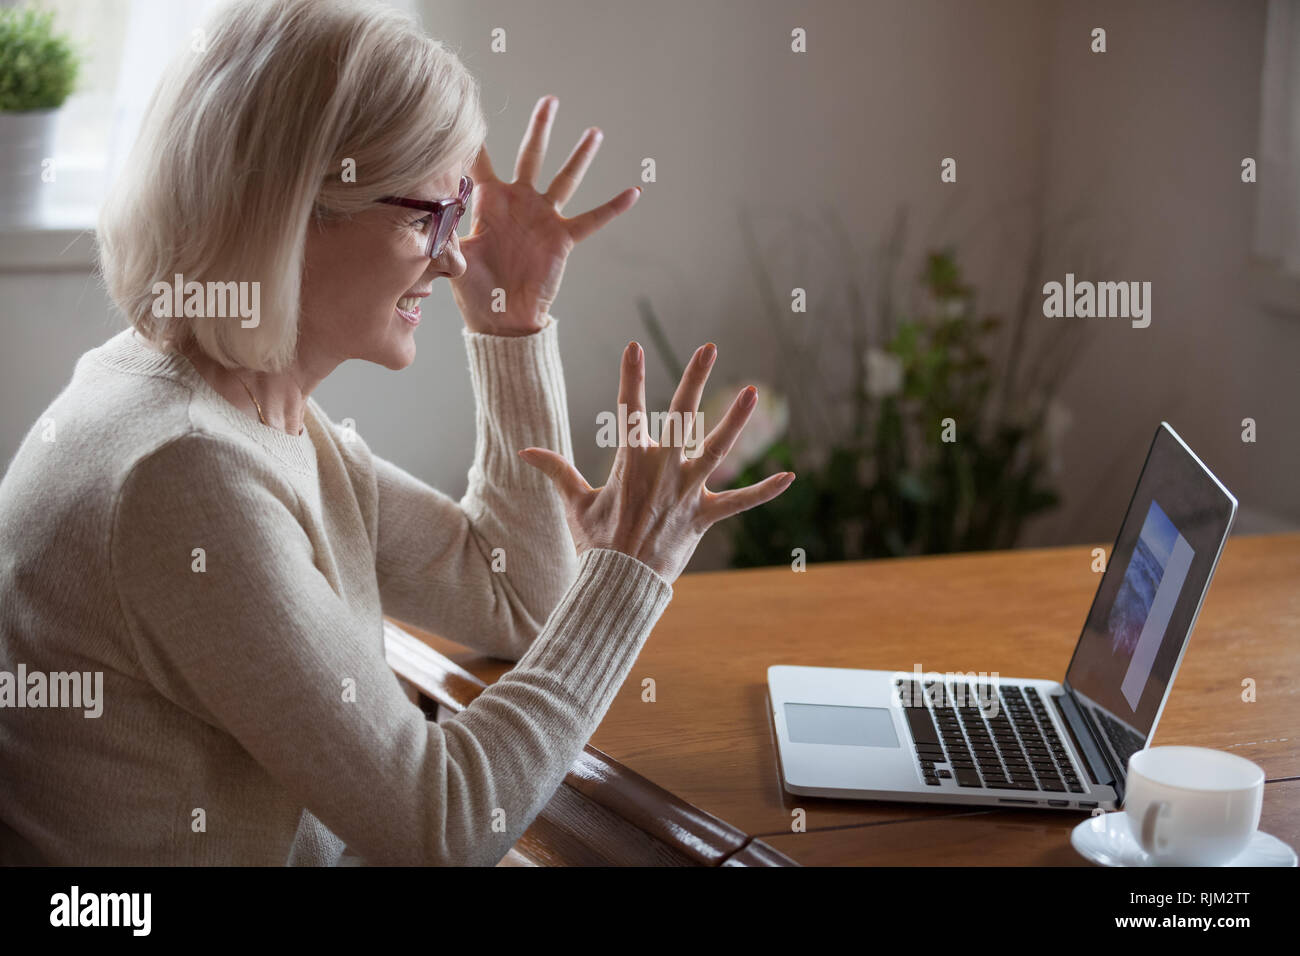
518 240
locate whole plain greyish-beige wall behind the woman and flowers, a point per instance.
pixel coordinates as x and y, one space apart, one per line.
712 92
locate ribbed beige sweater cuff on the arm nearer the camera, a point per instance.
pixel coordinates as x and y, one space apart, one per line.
599 629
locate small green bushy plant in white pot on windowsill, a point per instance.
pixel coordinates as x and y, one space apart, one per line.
38 71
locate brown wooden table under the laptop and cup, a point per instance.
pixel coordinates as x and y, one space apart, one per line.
708 738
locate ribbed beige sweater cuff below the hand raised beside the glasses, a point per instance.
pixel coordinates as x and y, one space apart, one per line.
519 401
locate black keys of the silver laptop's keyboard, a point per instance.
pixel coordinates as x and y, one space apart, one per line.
1017 749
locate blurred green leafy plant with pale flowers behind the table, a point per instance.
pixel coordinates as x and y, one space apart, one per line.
878 478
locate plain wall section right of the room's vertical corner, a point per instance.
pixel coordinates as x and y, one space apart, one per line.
1162 123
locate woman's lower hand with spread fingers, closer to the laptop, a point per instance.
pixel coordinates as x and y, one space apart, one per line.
655 505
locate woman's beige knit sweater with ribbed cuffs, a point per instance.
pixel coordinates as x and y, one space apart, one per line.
228 582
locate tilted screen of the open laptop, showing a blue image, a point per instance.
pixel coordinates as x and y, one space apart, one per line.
1151 592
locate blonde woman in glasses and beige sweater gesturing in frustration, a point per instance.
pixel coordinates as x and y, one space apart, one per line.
188 527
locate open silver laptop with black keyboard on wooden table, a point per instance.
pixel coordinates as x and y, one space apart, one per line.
983 739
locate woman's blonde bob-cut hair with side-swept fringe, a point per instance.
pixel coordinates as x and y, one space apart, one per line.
250 139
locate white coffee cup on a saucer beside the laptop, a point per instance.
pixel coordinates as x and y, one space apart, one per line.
1193 806
